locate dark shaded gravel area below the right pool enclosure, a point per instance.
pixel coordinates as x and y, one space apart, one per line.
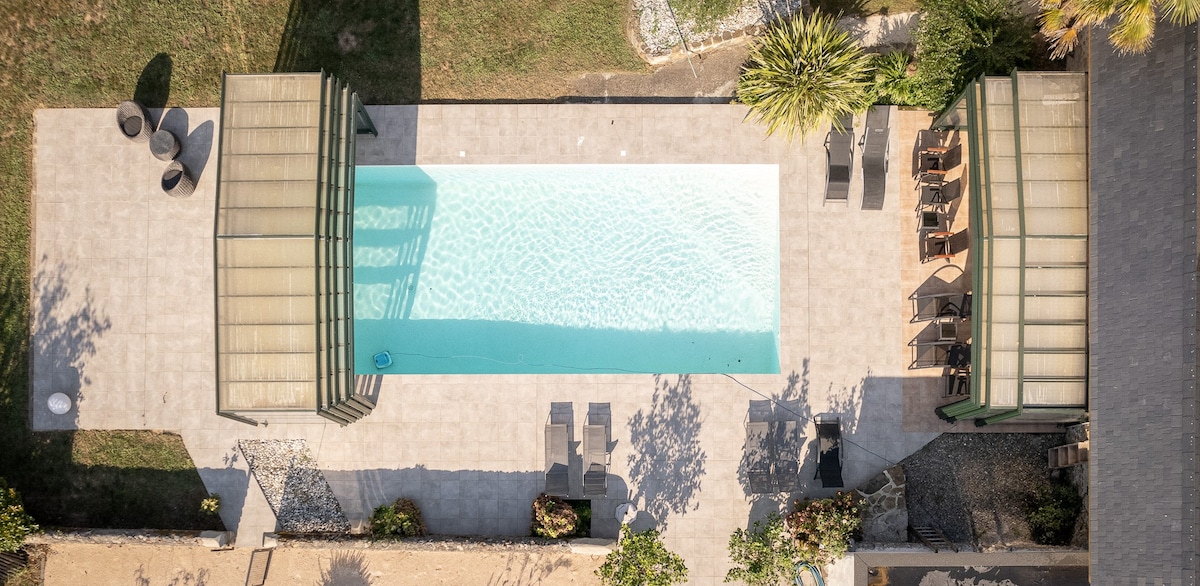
975 487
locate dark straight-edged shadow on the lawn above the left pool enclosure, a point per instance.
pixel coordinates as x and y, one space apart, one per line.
376 47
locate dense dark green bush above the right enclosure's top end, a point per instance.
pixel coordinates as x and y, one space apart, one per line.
961 40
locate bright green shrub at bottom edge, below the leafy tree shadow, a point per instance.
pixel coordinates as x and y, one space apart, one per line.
641 560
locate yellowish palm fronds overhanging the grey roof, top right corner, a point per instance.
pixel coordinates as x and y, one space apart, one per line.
1064 21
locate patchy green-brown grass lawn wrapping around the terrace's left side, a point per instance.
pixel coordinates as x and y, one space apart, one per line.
91 53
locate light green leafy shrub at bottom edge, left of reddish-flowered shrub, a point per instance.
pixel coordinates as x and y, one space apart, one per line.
765 555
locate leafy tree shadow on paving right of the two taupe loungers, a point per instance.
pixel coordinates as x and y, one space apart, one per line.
668 463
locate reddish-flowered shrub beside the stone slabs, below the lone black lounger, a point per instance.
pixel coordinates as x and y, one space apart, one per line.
824 529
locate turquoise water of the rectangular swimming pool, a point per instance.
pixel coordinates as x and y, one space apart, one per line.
547 268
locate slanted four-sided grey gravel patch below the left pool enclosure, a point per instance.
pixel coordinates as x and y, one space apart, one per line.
293 486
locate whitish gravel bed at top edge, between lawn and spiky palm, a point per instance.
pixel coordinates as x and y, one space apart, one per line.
661 32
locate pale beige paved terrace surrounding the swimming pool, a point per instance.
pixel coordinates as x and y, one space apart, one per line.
124 322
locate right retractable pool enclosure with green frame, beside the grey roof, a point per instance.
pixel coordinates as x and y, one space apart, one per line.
1028 136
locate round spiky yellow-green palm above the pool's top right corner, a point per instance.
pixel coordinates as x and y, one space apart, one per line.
805 73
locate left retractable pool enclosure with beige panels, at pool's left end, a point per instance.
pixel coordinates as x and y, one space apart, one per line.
283 248
